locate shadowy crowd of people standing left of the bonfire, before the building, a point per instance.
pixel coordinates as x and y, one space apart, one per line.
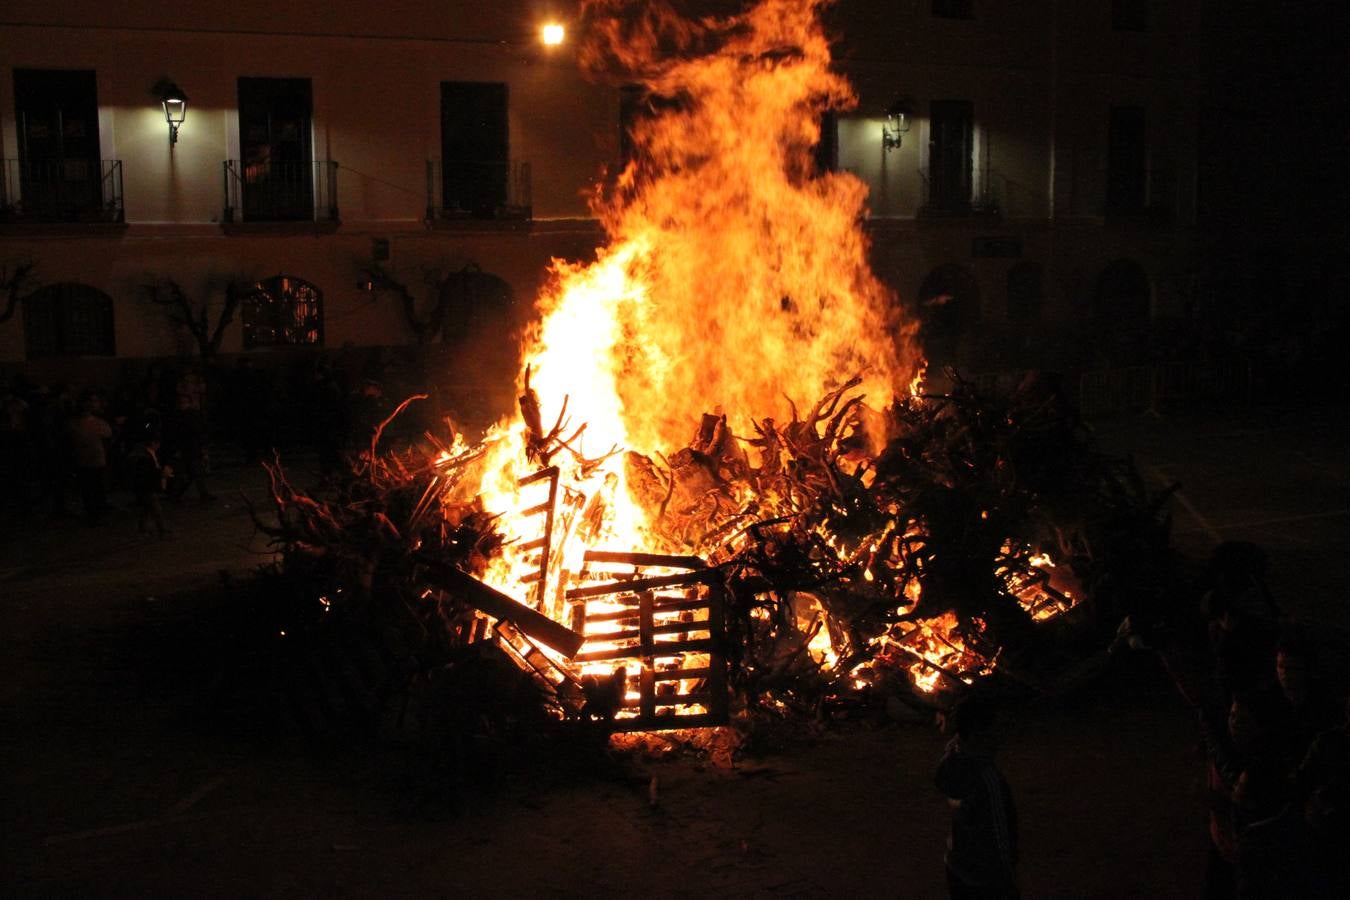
152 435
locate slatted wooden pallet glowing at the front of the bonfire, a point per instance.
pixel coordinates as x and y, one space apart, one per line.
654 628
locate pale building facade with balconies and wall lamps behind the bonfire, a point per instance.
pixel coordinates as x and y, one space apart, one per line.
1047 179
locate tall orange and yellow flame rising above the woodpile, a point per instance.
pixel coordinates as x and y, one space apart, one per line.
735 275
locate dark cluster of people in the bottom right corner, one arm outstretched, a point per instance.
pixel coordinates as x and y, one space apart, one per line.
1275 725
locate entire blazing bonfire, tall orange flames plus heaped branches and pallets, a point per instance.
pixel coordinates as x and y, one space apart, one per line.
885 540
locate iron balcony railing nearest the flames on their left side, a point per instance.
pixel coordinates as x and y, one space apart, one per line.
479 190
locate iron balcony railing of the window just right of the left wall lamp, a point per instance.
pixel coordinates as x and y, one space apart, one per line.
267 192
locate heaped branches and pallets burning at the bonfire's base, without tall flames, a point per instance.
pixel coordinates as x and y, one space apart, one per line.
812 573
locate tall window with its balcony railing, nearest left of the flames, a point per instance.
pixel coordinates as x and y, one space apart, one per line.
476 176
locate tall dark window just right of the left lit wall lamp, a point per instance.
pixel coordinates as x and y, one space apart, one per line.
275 149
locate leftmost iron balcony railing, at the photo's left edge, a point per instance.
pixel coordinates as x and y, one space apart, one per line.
61 191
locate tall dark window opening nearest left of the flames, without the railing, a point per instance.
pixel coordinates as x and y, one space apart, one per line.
475 148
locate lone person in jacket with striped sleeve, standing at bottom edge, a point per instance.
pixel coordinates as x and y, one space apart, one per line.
983 841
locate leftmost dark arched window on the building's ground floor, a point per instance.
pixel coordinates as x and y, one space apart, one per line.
68 319
